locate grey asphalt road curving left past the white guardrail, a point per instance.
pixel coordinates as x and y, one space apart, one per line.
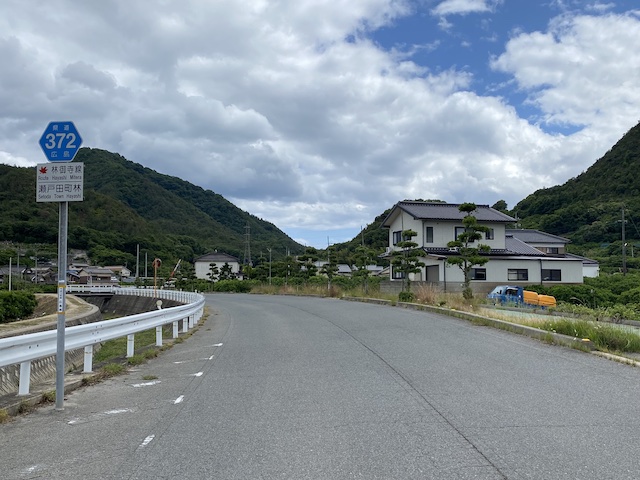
311 388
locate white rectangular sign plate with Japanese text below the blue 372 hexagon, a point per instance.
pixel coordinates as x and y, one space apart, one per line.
60 182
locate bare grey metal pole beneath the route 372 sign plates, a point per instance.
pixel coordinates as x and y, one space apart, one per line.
62 291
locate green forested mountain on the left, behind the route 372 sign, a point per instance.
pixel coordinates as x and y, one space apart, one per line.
127 205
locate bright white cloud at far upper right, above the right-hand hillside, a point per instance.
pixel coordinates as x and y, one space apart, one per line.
581 71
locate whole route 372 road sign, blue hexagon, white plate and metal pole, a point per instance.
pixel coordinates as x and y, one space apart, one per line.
60 183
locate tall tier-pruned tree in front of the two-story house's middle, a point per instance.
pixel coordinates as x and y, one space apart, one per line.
468 255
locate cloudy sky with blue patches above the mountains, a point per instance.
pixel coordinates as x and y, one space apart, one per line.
318 115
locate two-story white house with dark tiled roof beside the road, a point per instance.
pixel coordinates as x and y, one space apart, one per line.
512 259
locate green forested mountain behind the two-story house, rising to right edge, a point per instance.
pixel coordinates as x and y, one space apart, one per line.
586 209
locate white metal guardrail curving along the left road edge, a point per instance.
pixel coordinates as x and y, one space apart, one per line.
23 349
